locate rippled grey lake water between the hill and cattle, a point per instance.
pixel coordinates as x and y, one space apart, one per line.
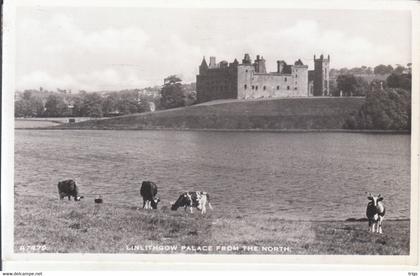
299 176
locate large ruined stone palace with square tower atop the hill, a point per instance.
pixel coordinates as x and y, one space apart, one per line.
250 80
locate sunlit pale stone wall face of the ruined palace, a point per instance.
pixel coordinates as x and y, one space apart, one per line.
252 85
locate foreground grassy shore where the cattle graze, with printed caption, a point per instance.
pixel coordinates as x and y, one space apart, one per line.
83 227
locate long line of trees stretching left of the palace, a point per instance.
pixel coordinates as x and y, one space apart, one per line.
62 103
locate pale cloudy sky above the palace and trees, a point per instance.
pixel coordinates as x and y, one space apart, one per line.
105 48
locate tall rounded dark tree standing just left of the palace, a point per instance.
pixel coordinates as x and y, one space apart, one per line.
172 93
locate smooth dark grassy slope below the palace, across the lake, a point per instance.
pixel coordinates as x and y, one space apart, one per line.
285 113
